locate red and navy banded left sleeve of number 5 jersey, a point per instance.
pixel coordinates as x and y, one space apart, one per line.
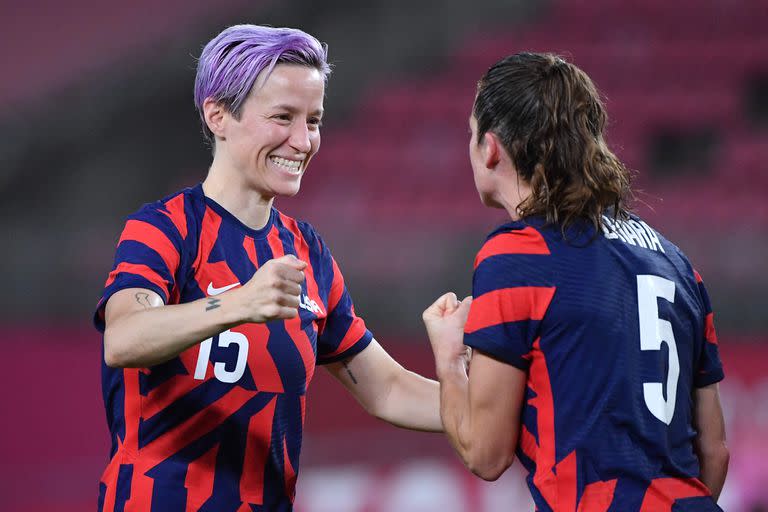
512 289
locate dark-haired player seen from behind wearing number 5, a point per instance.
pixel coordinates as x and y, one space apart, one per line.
595 358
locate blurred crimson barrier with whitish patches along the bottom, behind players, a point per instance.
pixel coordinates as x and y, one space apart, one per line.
55 442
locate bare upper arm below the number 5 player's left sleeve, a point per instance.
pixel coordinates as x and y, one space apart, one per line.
496 392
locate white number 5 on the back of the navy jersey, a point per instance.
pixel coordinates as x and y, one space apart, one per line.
654 331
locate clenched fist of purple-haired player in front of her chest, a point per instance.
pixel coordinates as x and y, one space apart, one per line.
273 292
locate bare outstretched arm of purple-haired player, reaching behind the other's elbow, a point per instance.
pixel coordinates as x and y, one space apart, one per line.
388 391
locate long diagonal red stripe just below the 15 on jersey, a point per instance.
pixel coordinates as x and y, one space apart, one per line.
196 426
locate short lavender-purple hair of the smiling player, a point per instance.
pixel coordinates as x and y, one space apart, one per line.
232 60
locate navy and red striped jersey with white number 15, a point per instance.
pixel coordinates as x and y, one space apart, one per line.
219 427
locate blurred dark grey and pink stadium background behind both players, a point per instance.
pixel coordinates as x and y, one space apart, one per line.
98 118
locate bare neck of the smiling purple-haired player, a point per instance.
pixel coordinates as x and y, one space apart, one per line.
228 187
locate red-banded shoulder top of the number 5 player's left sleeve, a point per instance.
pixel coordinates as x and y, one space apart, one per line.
513 238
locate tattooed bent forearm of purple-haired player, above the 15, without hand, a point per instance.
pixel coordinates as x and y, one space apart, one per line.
154 335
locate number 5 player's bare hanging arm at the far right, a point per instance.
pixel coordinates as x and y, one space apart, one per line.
710 445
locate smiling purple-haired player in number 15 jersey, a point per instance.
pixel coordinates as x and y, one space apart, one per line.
219 306
